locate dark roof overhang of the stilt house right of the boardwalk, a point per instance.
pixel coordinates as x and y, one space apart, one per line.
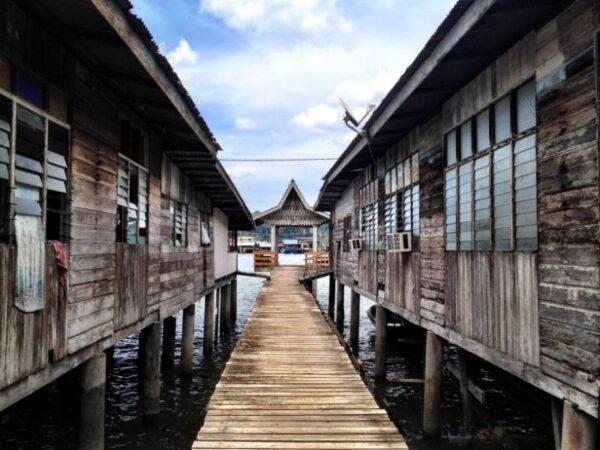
473 35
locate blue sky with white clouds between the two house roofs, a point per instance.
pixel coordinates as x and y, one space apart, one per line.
267 75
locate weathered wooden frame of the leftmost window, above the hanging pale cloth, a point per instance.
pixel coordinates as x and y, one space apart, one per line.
17 102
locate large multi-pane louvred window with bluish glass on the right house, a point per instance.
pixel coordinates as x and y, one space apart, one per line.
491 196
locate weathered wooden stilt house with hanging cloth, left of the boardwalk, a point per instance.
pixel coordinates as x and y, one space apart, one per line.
114 210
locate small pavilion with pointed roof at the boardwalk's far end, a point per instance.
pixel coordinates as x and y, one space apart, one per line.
291 211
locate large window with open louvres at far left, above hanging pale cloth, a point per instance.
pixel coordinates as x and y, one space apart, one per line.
41 156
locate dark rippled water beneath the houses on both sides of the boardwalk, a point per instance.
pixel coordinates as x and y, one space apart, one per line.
48 418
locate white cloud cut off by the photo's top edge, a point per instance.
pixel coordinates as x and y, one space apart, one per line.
272 15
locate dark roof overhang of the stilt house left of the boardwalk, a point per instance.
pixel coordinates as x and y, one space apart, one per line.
117 47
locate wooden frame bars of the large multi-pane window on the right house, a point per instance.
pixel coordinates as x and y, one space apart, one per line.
511 141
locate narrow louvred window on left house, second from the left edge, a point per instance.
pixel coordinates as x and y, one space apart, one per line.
132 202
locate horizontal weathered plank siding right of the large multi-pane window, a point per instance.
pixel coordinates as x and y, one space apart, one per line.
568 203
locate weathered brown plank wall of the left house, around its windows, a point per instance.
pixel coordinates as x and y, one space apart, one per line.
111 289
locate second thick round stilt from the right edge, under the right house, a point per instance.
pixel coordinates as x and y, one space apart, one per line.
432 418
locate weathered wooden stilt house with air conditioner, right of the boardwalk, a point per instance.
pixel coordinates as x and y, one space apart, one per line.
471 204
